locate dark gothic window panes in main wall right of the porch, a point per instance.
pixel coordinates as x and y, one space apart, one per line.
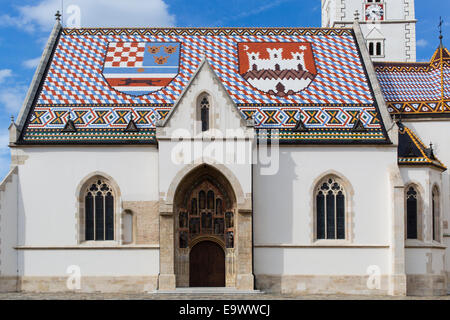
330 210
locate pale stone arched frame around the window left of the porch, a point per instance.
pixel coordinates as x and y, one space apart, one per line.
81 212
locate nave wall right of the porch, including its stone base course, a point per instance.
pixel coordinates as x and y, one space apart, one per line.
288 251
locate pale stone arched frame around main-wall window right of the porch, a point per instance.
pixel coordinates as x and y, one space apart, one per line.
348 209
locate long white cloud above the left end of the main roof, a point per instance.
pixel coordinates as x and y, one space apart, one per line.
98 13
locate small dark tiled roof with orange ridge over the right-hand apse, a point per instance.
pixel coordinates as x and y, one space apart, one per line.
412 151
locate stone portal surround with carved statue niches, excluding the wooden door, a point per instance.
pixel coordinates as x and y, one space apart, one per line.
179 233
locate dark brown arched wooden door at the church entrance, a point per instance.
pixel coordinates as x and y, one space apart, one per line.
207 265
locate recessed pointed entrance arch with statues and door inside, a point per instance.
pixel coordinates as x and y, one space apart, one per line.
205 230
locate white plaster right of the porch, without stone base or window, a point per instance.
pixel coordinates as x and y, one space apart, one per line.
283 211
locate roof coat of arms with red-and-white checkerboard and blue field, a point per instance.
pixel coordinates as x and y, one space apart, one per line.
139 68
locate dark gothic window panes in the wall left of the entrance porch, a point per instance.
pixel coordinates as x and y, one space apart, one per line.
99 211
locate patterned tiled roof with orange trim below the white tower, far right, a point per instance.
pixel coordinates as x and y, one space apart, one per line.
417 89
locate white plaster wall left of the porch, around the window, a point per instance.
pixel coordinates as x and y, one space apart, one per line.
48 182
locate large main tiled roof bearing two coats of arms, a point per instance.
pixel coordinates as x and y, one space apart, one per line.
85 82
